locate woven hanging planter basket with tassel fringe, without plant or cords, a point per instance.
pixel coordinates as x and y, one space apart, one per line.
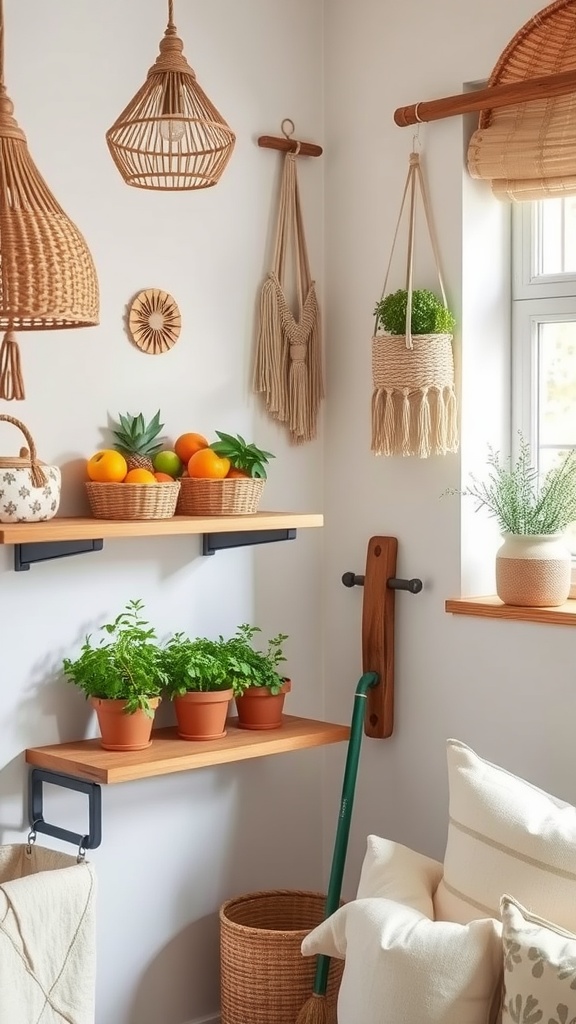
415 410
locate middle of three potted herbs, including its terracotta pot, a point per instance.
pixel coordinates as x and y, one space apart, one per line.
198 684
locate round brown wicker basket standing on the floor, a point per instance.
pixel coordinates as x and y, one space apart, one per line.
265 977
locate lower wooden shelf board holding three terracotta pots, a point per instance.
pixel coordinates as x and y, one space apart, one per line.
169 754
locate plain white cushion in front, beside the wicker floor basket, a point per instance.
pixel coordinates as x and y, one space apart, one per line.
403 968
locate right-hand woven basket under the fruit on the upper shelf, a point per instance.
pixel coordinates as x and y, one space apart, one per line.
234 496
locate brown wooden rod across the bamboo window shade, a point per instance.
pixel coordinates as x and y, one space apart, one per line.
496 96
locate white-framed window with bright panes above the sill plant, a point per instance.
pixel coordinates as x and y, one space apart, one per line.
545 329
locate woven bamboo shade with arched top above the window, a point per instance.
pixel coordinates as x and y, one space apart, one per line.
528 151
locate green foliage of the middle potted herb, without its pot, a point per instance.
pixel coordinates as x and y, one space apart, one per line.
196 665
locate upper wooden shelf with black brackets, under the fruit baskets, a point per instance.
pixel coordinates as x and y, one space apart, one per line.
38 542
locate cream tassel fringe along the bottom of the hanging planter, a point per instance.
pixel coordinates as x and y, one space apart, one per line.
408 423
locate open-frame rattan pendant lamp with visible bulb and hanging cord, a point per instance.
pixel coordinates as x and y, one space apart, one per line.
171 137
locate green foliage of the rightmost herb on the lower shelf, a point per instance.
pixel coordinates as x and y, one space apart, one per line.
250 667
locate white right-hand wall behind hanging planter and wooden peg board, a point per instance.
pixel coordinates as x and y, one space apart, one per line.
508 690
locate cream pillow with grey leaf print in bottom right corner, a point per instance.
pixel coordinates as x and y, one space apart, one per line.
540 969
